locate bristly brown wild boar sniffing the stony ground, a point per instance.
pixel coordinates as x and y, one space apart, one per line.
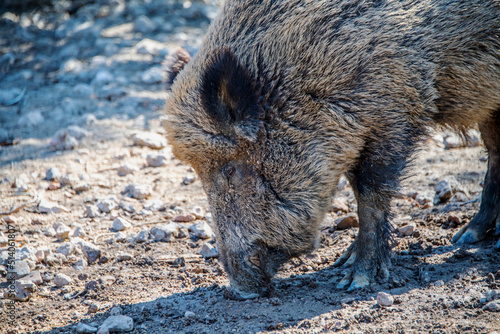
285 96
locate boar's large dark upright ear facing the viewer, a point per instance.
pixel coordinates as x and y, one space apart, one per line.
228 95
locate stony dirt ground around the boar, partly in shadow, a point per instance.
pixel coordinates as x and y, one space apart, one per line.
112 234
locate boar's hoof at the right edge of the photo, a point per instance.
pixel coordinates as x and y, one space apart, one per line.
477 229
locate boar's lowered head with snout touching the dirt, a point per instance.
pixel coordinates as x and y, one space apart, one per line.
267 188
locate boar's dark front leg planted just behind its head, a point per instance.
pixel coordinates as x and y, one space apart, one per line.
374 179
